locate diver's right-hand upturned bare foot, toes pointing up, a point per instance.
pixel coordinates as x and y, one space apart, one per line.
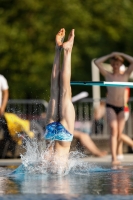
69 44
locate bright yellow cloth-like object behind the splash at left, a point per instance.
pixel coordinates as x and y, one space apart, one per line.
16 125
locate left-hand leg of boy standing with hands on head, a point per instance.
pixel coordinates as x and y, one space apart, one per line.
113 125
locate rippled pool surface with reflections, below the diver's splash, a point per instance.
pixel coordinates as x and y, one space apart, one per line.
95 183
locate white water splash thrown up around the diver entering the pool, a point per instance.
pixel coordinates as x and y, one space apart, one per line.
37 160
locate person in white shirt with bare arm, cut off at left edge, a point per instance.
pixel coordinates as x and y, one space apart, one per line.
3 94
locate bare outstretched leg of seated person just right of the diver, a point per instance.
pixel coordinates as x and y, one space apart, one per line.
88 143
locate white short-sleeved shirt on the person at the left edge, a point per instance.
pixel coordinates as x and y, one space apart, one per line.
3 86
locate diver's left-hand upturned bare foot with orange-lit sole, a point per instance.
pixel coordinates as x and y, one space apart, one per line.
60 38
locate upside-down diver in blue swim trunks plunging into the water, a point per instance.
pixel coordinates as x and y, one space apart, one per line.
60 113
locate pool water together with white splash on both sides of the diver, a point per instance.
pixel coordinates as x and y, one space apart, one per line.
82 180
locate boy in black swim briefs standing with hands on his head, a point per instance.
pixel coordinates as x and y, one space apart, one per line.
115 97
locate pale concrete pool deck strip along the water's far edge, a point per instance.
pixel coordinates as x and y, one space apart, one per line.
128 159
